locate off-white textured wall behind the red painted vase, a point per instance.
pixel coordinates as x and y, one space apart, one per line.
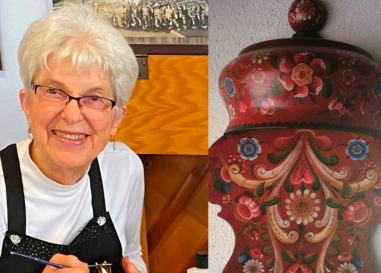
237 24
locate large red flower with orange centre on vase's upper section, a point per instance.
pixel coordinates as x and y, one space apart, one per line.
302 74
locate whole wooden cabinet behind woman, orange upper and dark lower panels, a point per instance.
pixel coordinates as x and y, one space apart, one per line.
167 125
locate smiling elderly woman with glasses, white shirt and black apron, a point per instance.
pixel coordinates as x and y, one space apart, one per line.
66 189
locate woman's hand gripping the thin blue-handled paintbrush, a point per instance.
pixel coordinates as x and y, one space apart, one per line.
71 262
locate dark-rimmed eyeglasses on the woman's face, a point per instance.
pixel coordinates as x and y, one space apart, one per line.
91 106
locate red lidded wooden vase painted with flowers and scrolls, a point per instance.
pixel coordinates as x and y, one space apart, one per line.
297 172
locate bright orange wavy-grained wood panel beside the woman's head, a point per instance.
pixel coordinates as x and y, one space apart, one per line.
168 114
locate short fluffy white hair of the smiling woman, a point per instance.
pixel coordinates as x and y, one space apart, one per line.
79 33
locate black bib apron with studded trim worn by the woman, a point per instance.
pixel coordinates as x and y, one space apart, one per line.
96 243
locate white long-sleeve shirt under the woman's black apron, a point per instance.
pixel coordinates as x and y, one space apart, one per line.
56 213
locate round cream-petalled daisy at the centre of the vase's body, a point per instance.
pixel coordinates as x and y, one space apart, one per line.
302 207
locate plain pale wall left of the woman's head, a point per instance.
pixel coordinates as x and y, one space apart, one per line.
15 18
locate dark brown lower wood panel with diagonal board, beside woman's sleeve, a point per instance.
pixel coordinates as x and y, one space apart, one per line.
174 249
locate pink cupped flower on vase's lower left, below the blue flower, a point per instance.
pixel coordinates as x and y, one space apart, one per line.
247 209
